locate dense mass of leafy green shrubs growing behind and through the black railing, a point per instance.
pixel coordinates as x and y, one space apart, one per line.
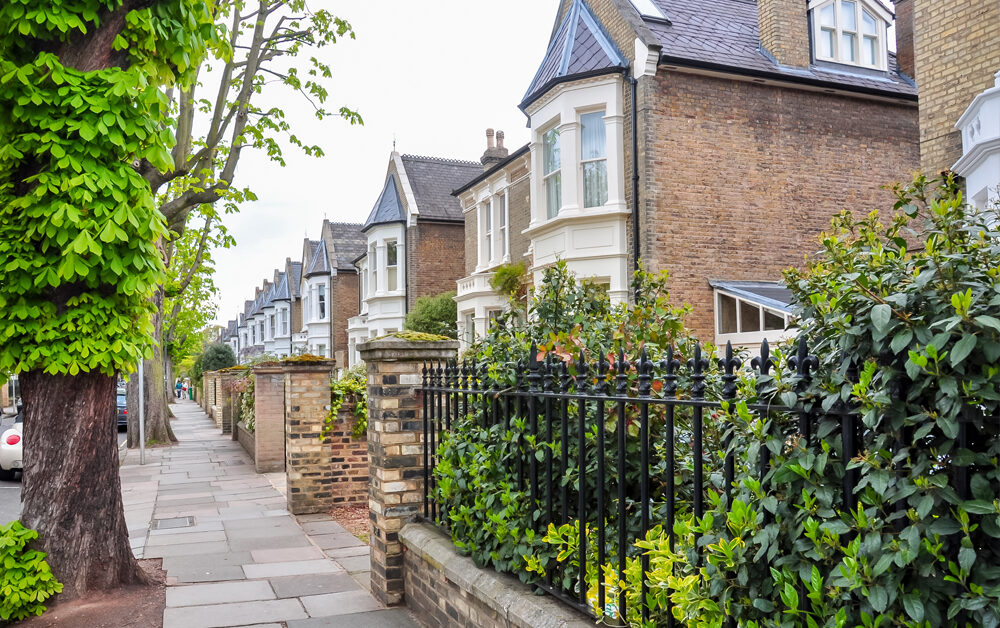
903 315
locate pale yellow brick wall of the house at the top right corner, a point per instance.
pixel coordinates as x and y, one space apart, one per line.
957 45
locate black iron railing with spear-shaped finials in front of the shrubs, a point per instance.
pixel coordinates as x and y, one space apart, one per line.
593 476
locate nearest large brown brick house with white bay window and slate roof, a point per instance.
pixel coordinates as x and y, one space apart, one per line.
711 138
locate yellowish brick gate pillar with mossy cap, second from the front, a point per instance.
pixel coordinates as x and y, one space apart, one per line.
308 458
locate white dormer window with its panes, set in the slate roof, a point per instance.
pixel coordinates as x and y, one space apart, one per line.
851 32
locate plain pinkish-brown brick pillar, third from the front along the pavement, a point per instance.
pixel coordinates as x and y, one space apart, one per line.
269 418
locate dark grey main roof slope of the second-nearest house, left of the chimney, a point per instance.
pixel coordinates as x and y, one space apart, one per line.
432 180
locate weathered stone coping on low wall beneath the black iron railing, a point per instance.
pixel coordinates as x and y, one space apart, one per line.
511 599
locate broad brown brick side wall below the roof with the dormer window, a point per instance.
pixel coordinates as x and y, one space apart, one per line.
739 179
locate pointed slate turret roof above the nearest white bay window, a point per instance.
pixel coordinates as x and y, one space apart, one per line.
580 47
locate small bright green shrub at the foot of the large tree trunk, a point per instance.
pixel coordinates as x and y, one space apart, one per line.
25 578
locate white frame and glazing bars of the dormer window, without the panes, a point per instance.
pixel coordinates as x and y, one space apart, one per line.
882 21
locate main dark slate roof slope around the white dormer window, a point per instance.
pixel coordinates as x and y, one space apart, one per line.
724 35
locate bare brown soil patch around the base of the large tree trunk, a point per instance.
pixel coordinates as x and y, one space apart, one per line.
128 607
